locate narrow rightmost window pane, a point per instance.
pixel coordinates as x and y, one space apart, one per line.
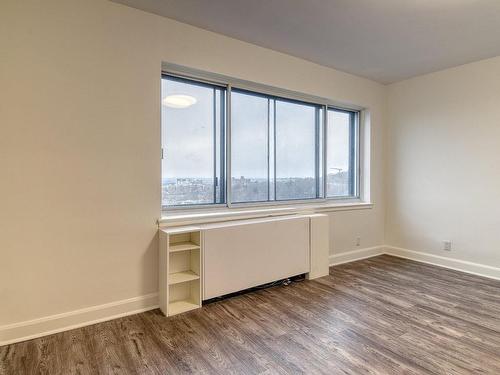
340 153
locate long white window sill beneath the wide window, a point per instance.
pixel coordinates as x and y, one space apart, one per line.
226 214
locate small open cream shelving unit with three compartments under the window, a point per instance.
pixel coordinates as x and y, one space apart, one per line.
180 270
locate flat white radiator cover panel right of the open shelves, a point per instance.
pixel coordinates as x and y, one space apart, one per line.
242 254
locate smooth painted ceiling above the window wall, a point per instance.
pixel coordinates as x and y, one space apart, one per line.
384 40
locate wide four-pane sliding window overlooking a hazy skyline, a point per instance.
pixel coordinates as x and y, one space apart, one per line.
280 149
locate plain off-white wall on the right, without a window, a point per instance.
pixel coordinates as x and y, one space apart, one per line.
443 163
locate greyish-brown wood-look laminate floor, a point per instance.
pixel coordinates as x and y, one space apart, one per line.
382 315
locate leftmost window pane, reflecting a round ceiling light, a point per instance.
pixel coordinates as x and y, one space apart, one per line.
192 118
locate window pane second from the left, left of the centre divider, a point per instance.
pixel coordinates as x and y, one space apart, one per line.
249 147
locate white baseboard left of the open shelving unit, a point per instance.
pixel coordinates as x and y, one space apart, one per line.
31 329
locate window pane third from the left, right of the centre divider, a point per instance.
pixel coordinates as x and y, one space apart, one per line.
295 150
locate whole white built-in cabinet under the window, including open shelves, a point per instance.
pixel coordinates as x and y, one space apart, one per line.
215 259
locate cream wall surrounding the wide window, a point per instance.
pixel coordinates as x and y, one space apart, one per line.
80 146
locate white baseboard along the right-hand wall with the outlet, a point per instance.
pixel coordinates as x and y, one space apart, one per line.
451 263
